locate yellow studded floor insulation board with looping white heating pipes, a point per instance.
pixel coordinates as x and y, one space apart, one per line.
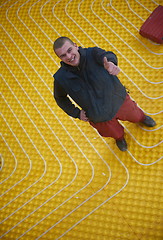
59 178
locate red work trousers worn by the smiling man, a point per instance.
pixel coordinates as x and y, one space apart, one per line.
129 111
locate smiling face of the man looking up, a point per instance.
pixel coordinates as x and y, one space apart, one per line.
69 54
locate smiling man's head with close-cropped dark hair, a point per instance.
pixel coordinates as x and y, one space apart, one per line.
67 51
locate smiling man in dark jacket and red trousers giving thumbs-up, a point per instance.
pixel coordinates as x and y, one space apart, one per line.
89 77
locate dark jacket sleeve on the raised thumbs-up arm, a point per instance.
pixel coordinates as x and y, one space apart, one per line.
99 55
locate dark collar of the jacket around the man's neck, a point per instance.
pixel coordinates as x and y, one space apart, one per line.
82 52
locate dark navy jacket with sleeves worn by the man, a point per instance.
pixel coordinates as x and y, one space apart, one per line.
90 85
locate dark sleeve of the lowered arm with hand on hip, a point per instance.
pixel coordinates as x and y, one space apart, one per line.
64 102
